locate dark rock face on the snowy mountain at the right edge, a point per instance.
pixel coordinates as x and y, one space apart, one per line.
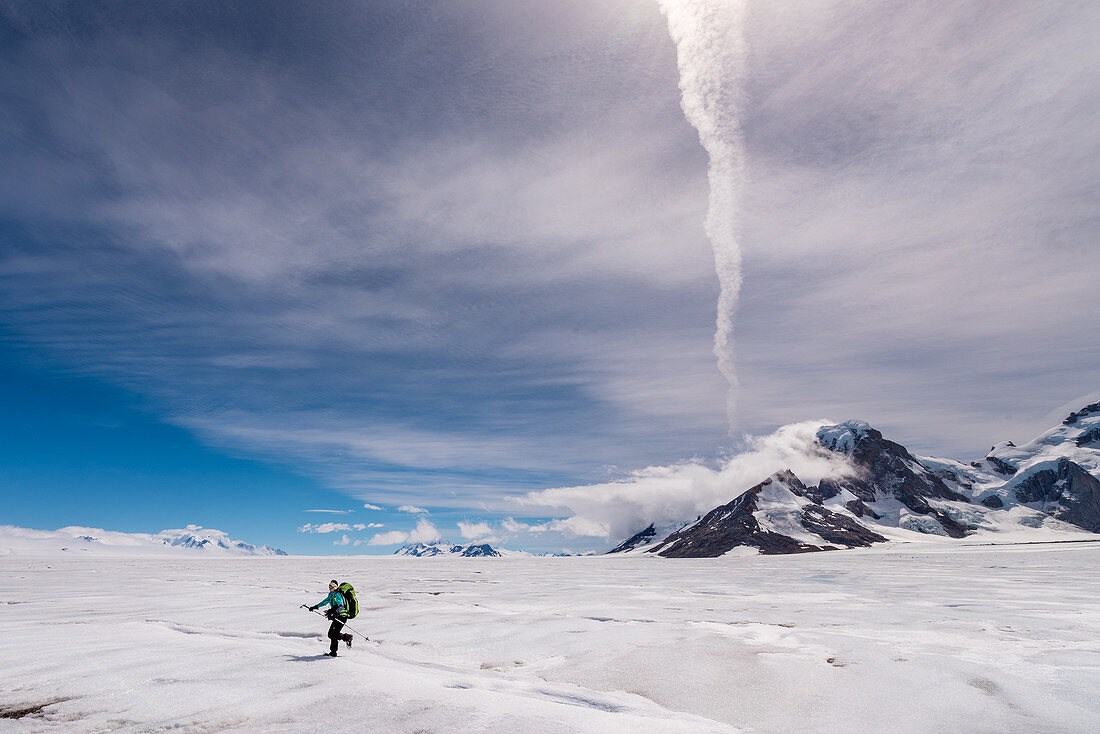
1074 492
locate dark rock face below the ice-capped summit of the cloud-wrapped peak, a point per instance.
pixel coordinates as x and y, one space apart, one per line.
890 470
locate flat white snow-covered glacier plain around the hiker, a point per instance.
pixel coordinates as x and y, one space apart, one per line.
923 640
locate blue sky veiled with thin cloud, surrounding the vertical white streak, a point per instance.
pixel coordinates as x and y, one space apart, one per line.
257 261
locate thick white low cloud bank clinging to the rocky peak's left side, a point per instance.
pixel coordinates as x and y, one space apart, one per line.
683 491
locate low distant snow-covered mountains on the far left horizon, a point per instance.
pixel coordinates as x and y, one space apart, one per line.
93 541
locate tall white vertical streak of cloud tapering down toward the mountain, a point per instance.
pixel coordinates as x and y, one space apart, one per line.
711 56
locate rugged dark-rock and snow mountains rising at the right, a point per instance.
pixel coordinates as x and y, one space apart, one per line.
1046 489
